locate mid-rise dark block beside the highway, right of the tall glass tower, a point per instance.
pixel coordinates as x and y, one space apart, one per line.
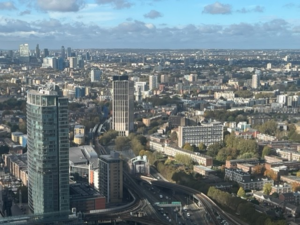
111 177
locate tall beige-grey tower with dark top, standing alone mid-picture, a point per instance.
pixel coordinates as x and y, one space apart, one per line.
122 105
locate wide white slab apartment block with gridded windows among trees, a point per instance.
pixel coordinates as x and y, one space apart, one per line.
205 133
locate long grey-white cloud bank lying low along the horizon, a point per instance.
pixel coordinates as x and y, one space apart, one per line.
53 33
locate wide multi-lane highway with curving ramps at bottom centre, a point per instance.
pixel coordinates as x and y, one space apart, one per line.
205 214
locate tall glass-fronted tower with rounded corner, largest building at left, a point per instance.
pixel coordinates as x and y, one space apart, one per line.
48 151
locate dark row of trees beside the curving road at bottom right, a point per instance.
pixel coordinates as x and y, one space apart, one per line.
245 209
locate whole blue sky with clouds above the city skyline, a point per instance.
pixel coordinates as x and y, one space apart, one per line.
151 24
